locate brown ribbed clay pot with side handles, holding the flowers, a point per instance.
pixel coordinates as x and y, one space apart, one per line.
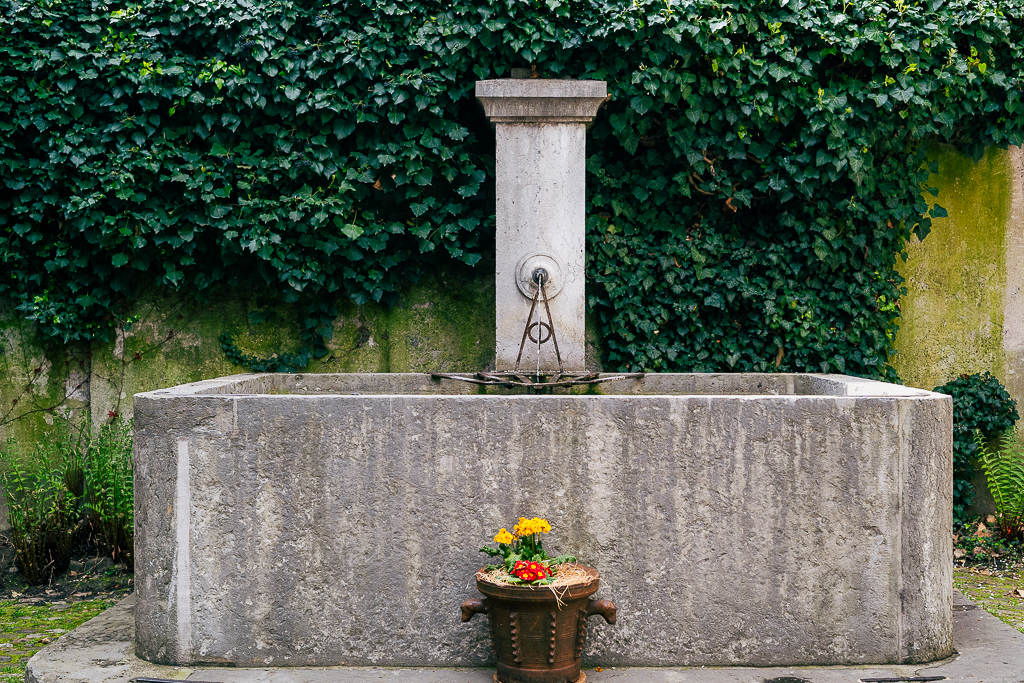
536 639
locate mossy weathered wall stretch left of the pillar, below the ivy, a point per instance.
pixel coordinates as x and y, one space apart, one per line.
445 323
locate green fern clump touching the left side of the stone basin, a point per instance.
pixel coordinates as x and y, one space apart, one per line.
110 474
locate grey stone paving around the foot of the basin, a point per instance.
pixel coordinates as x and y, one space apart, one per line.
101 652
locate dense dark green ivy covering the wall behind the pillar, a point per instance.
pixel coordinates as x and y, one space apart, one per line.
752 181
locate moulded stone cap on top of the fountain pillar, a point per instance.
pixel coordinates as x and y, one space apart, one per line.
541 101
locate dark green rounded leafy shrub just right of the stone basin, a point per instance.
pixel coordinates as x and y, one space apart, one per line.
982 405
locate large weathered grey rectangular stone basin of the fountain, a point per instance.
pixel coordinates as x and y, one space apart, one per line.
736 520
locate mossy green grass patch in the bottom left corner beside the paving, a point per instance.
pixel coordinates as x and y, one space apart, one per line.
28 629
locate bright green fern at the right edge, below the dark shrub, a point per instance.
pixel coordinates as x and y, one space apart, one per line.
1003 462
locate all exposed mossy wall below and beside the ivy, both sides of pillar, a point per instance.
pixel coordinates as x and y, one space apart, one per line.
962 314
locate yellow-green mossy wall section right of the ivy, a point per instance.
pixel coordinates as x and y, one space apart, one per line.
952 317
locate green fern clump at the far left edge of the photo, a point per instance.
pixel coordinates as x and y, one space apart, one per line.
44 510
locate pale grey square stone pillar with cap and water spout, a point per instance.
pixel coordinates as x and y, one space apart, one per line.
541 129
